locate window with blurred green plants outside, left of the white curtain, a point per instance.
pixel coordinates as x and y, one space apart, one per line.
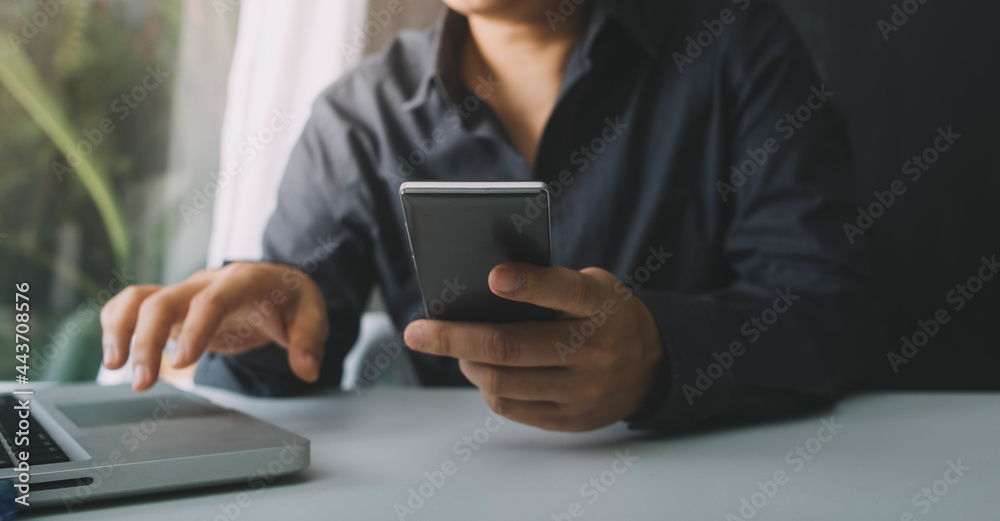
111 112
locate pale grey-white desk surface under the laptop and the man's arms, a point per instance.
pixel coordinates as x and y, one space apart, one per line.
369 451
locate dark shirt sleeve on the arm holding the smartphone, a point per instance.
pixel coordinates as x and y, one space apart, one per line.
799 324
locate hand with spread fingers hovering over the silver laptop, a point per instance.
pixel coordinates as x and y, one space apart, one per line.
234 309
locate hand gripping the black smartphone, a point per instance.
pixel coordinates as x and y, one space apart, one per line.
536 372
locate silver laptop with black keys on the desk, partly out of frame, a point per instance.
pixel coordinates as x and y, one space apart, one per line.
87 442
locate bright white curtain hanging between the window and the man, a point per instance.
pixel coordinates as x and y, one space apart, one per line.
286 53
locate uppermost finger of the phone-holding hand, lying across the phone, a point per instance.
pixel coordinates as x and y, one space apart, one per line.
578 293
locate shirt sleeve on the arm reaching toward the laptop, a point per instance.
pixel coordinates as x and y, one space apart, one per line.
323 225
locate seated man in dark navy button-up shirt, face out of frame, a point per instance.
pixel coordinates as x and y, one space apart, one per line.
699 178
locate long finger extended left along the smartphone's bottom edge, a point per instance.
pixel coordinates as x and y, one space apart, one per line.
522 344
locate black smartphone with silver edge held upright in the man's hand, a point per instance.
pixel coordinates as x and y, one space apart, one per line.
459 231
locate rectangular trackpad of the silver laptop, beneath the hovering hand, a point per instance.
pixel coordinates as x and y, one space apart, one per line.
116 412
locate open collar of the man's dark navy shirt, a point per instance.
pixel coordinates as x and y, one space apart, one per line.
642 20
